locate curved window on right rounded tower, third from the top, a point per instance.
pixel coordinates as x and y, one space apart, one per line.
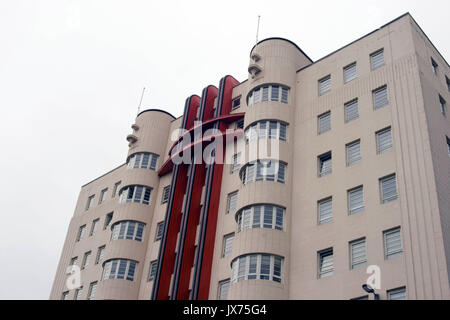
264 170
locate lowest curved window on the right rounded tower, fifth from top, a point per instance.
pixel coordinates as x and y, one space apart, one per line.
257 266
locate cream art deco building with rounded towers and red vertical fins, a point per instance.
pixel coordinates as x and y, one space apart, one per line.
361 179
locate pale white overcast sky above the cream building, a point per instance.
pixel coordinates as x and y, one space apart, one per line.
71 75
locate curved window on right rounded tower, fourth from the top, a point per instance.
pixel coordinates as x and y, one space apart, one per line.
261 216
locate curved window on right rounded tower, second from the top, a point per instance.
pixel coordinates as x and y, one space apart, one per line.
266 129
